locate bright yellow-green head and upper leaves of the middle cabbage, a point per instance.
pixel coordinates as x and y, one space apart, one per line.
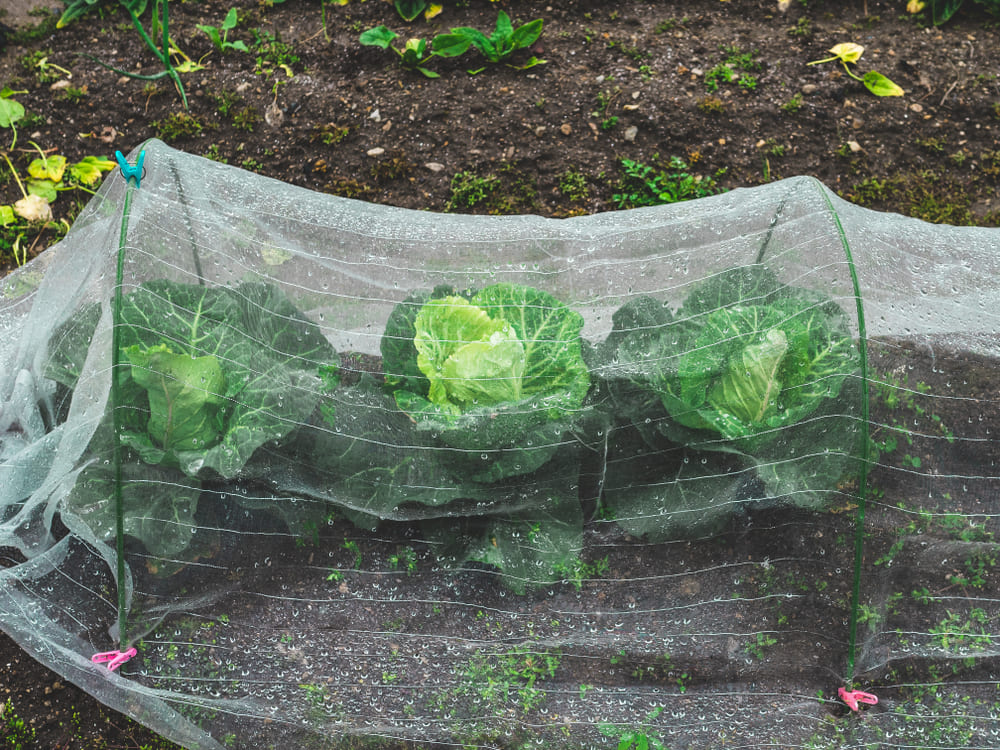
480 369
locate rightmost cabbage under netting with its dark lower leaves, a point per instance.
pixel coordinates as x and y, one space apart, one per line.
747 376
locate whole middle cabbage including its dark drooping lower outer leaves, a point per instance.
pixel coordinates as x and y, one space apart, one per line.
482 394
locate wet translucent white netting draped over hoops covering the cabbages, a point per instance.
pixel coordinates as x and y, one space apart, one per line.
718 474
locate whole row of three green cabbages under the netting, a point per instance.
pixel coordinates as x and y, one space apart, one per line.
489 419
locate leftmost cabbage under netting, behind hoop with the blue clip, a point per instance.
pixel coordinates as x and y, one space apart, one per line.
223 371
